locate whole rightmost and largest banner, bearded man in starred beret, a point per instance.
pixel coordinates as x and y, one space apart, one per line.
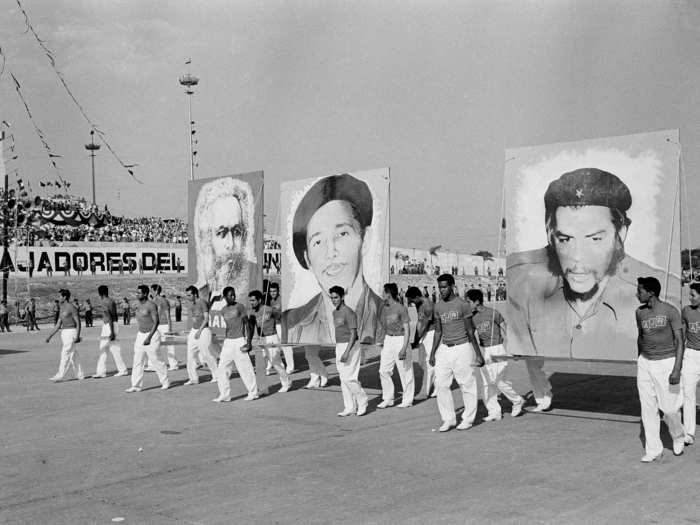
585 220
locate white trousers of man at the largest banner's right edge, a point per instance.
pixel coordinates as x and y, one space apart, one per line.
655 393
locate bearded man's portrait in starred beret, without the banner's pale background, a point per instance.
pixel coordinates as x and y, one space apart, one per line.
575 297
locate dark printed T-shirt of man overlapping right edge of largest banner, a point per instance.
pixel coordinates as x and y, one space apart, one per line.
656 326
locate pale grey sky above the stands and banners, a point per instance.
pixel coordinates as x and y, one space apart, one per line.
434 90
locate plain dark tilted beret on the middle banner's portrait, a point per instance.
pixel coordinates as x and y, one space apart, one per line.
336 187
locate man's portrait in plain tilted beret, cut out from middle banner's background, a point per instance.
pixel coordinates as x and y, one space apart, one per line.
329 239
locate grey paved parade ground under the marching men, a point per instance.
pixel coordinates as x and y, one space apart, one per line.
85 452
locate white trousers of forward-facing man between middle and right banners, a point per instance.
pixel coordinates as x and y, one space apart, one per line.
455 362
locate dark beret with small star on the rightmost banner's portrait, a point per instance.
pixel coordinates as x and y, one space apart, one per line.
587 187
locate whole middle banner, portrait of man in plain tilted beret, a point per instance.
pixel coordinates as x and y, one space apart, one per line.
335 232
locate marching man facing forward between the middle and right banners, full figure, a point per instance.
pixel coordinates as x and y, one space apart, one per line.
452 356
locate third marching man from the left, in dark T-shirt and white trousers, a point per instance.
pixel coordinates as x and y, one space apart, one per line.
147 343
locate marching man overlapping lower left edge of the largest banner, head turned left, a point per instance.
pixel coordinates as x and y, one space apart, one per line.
490 327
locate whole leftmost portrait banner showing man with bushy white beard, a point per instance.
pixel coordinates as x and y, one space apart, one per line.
226 237
